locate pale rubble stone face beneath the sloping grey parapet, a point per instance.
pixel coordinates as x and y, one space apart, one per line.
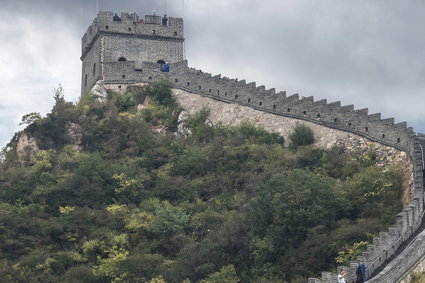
234 114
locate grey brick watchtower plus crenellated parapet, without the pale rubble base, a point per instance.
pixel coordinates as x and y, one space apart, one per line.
127 49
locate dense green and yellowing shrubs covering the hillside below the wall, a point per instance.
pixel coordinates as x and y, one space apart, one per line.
139 203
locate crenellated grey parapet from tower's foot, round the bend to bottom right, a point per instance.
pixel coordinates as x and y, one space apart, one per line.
332 115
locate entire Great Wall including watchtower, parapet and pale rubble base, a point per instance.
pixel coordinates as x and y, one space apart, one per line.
125 50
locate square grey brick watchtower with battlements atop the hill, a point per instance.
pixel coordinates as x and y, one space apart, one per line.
120 49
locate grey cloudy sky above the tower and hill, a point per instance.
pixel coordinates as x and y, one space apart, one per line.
362 52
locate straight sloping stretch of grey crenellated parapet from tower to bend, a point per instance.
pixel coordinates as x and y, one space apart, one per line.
321 112
